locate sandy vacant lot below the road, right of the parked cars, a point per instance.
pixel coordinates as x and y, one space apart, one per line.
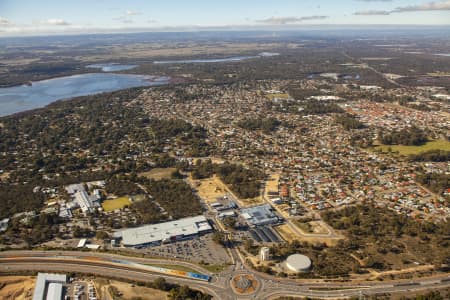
129 291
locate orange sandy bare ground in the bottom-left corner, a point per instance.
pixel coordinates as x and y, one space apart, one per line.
16 287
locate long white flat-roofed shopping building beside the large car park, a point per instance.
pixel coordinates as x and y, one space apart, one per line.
164 232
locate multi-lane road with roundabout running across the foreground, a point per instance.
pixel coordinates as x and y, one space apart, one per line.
219 287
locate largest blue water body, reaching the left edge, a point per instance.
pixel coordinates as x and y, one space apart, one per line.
40 93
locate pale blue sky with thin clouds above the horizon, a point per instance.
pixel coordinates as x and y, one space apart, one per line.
32 17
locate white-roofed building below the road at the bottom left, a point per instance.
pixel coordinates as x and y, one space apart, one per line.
49 286
